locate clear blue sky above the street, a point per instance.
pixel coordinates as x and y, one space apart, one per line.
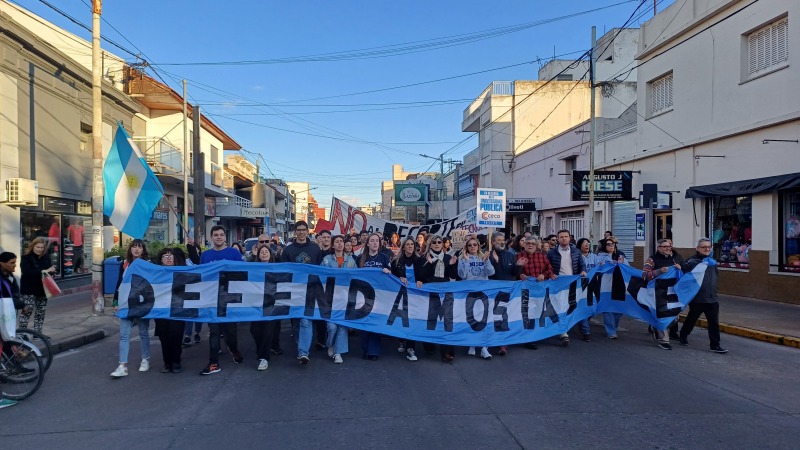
335 92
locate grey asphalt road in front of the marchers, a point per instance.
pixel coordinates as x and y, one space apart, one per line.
602 394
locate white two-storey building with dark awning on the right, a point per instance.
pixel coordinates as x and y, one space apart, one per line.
717 128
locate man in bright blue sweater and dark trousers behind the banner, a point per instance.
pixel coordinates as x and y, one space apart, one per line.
221 252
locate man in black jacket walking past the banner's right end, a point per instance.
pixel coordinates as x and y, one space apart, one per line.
705 302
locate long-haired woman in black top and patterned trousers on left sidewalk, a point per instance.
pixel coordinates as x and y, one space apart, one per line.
34 262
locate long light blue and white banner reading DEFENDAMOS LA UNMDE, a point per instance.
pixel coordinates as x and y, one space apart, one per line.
480 313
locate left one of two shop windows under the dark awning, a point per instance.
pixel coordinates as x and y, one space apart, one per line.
731 222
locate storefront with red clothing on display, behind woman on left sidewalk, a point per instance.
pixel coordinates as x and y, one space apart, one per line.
66 225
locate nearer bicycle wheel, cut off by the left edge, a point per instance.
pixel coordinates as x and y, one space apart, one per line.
21 370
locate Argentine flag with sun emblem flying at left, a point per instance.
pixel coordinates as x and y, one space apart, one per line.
132 190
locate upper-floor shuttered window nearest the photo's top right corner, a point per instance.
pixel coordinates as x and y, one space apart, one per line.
768 47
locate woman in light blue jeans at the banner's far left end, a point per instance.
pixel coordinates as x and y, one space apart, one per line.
136 250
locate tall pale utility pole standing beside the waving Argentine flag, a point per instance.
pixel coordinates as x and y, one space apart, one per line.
98 302
